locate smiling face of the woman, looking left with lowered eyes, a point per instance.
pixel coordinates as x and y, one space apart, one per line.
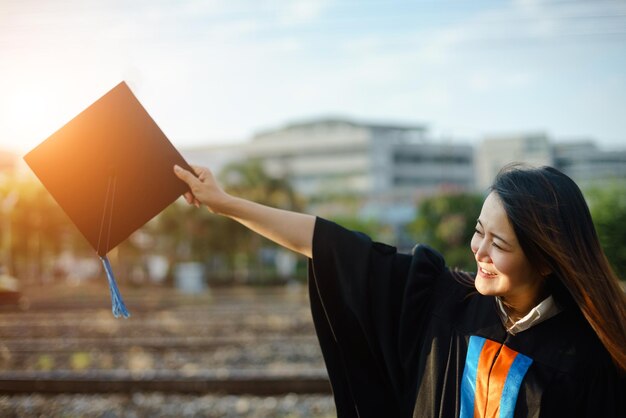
502 267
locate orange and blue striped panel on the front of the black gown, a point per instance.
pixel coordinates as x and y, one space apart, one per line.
491 380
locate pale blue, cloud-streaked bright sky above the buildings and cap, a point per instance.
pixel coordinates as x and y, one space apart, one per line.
217 71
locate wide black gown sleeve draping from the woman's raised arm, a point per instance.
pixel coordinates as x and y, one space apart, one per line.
358 289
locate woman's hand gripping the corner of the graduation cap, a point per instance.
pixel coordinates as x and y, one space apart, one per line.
203 188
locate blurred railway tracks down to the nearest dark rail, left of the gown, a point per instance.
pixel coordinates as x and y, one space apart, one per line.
231 343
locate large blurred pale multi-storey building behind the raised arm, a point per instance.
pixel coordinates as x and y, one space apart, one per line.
385 168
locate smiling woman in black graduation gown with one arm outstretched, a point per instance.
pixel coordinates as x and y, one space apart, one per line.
539 331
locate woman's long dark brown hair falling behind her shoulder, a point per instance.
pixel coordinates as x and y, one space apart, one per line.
554 228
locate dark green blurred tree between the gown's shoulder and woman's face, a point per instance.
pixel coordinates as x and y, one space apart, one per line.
446 222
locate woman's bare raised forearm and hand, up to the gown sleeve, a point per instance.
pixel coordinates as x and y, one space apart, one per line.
291 230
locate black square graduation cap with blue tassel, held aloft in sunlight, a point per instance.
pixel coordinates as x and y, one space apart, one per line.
110 169
